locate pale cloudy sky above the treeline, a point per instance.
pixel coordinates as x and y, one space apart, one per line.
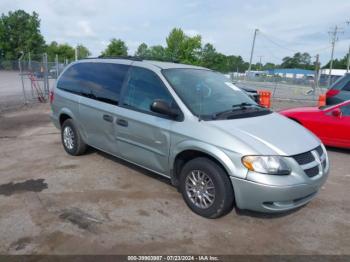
293 25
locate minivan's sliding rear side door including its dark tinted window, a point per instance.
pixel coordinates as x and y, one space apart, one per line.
98 109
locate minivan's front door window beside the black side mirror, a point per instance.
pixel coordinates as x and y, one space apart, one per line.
143 87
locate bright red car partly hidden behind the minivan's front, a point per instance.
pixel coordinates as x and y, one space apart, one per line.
330 123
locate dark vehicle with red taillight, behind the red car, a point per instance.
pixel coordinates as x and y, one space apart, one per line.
339 91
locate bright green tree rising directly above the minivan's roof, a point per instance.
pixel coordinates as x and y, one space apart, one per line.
183 48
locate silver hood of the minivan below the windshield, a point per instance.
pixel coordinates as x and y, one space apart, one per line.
271 134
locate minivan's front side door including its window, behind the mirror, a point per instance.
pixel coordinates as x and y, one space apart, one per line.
144 136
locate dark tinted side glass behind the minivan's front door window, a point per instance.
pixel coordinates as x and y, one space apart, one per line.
100 81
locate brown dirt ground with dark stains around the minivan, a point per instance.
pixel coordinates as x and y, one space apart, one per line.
96 204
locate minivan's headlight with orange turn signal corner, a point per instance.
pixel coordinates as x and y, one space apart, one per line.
273 165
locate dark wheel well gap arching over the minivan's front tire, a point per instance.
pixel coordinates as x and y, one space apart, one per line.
185 156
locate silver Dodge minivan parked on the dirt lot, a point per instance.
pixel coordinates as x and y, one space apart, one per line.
193 126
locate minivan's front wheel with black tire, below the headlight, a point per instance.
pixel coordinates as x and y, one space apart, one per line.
217 185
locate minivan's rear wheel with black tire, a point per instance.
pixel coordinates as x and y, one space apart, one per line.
74 146
